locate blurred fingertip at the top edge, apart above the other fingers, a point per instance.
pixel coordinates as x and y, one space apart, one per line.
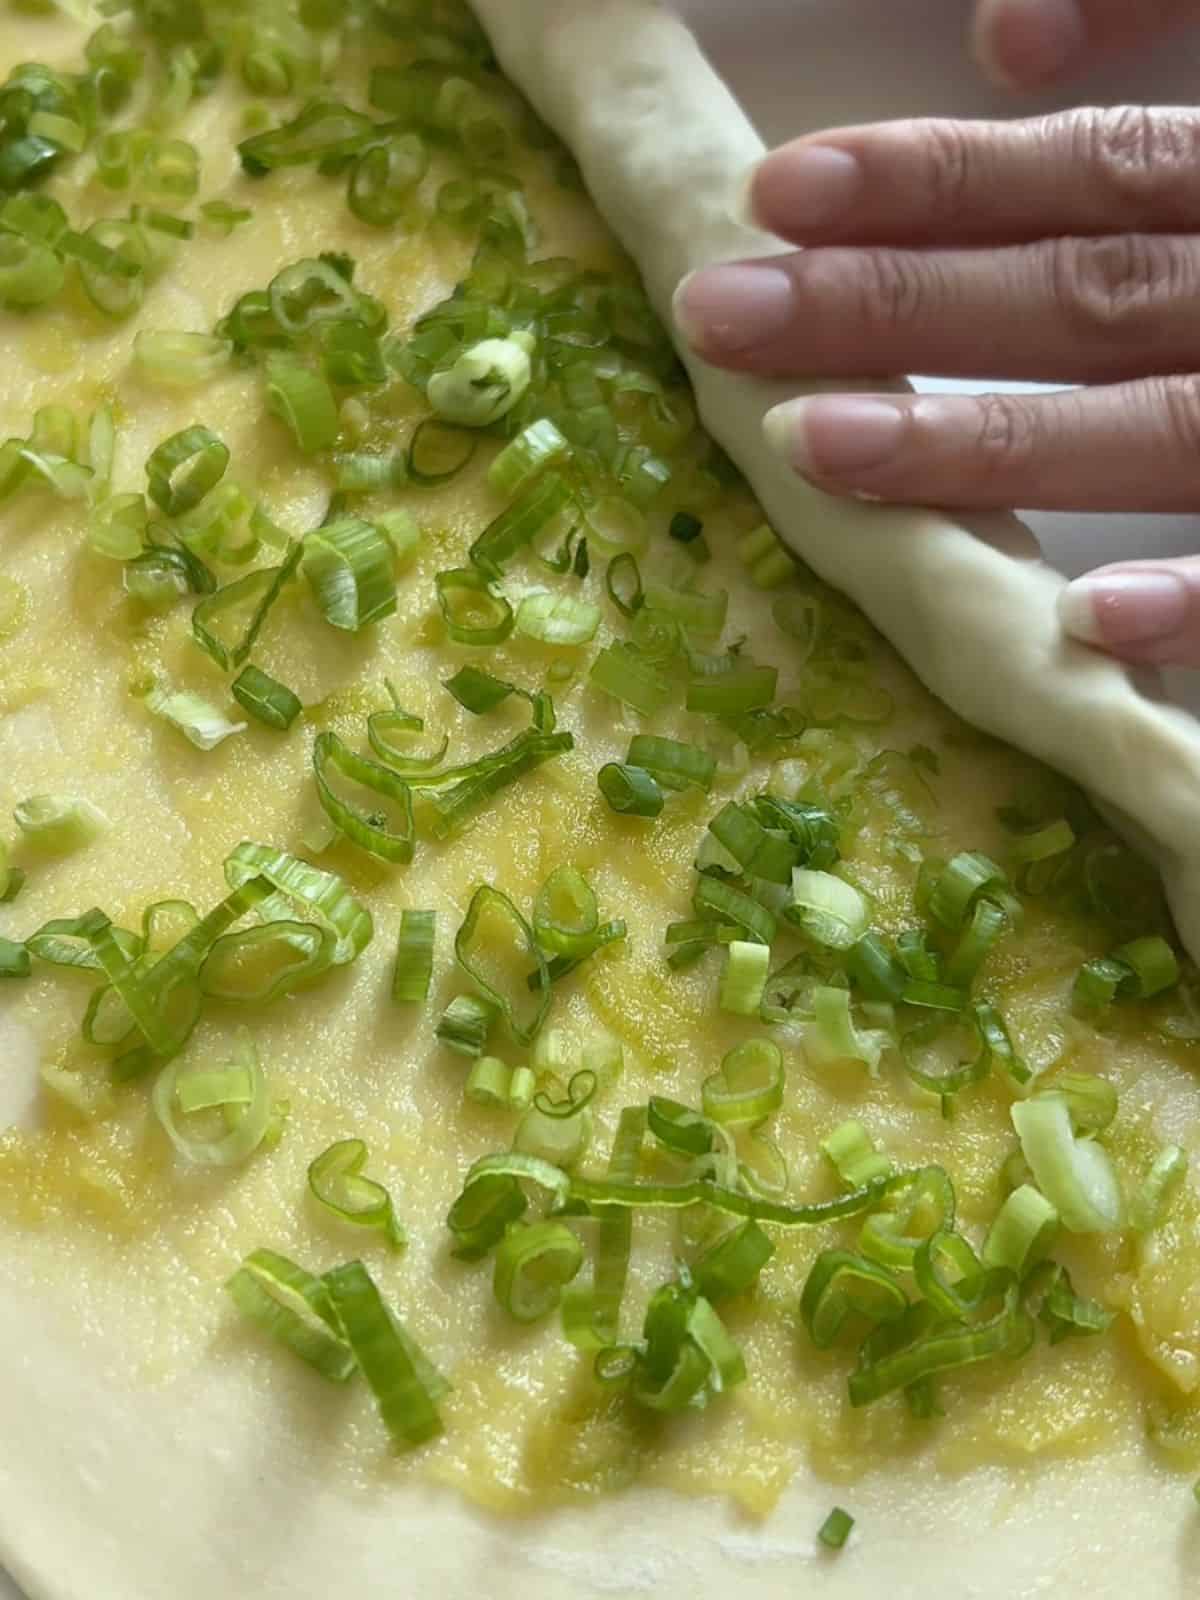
1028 44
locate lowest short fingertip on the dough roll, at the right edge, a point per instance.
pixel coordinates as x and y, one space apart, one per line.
1143 612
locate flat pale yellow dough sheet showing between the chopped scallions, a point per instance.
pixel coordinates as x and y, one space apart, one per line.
150 1446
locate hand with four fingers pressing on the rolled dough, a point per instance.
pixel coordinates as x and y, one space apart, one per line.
1065 250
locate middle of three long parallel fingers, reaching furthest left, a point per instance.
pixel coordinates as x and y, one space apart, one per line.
1063 310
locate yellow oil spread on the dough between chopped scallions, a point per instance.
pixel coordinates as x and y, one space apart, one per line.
90 1191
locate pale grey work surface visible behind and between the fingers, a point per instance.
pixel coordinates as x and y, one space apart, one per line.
806 65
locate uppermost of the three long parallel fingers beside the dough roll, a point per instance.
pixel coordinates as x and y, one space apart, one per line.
938 182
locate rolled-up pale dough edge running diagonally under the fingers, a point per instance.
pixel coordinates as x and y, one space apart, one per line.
970 606
